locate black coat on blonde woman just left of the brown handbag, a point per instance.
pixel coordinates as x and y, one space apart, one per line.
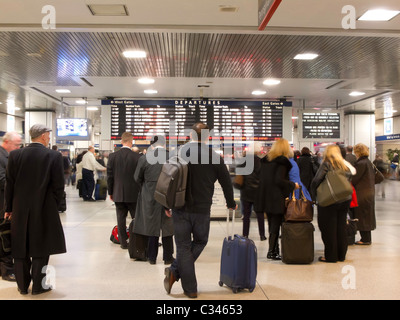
275 185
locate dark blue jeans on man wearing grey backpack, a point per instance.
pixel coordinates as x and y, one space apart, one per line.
188 249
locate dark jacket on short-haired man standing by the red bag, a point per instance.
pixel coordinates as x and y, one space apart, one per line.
121 168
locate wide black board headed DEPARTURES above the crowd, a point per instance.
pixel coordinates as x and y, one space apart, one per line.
258 120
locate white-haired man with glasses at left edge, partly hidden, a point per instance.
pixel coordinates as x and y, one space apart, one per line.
11 141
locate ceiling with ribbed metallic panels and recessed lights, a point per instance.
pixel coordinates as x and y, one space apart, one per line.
191 44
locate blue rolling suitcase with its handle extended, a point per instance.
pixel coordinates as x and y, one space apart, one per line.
238 262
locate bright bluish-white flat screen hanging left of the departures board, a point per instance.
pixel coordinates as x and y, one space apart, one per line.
73 129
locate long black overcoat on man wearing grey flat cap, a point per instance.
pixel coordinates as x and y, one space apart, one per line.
34 189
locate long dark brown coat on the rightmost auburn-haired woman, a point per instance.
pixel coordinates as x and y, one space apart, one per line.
364 183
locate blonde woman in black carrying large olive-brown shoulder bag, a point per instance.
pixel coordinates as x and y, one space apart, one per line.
332 219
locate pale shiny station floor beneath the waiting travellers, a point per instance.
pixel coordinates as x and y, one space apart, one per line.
94 268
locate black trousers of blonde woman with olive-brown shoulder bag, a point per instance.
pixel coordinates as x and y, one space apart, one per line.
332 223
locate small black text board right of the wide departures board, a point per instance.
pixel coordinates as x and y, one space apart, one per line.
321 125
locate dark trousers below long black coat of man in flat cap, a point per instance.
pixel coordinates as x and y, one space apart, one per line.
28 269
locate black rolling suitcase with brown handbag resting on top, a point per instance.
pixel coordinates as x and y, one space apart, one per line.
297 242
